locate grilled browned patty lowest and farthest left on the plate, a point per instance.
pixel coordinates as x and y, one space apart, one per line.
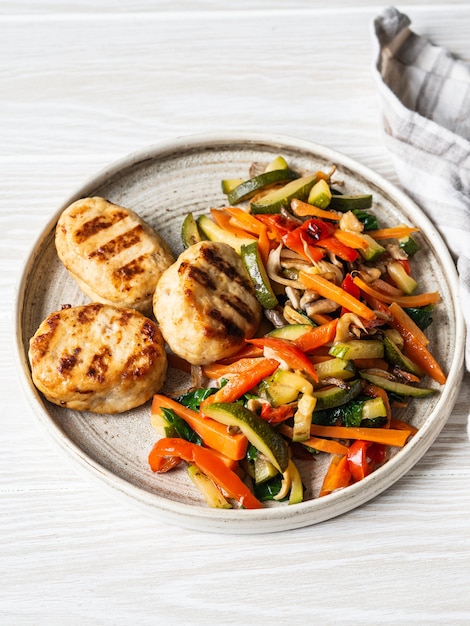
98 358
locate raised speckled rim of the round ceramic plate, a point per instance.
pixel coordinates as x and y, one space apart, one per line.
268 519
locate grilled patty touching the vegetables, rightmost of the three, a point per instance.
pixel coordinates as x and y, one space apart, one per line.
205 303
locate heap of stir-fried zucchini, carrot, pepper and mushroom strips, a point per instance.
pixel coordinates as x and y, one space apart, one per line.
346 346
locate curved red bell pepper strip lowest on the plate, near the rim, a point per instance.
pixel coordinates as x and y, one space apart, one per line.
210 465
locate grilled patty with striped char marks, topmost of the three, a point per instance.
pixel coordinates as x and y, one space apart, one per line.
114 255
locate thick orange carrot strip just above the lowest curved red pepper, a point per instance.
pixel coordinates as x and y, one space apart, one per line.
214 434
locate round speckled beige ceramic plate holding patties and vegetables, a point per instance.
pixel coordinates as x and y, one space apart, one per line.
162 184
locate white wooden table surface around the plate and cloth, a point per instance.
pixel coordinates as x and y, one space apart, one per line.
85 82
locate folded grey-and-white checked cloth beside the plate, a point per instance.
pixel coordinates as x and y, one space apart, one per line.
425 94
